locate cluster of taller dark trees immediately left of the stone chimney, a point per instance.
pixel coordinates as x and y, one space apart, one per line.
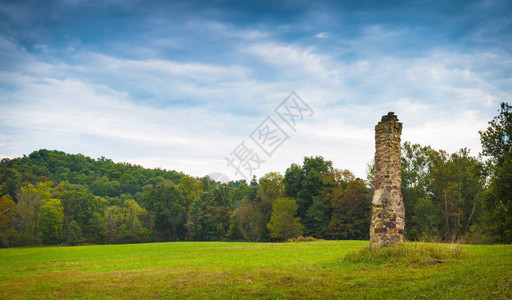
318 189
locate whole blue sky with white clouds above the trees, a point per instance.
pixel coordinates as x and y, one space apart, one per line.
243 88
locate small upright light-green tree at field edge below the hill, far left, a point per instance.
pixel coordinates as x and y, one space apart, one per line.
50 221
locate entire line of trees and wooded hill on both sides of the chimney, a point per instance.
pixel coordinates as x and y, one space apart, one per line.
50 197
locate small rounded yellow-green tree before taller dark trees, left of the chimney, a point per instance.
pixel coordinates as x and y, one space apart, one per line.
283 223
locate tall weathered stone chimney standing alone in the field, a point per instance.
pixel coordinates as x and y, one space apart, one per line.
388 213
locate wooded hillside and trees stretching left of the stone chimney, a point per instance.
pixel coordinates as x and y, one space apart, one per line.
50 197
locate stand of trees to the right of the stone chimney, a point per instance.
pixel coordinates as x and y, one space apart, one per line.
458 196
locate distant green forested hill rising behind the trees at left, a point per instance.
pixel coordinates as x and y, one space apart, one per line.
104 177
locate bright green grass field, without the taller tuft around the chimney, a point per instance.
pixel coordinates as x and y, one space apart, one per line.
242 270
